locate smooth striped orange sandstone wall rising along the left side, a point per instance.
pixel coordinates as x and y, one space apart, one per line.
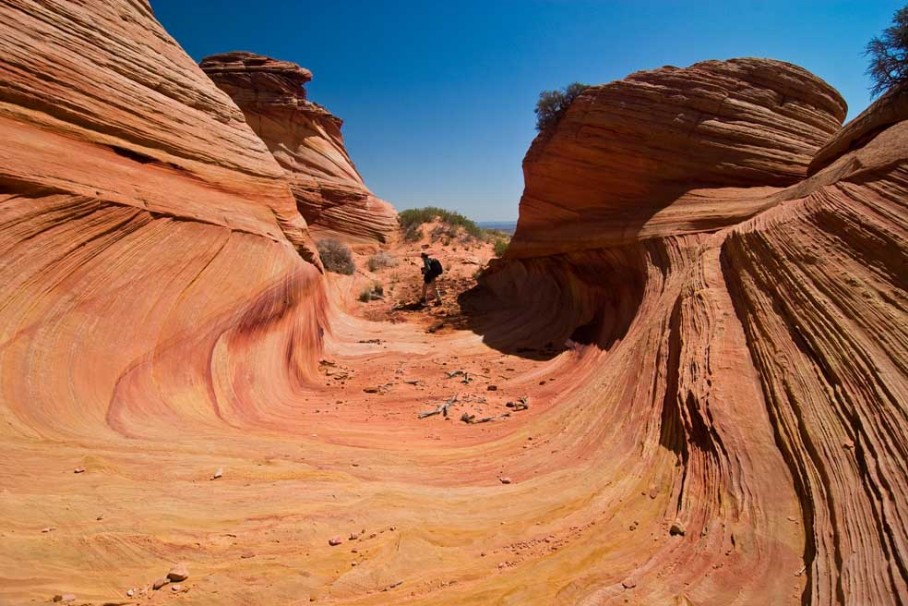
143 228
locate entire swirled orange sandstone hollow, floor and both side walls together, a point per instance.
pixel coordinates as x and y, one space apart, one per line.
726 427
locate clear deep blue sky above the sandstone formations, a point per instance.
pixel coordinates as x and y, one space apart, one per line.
437 97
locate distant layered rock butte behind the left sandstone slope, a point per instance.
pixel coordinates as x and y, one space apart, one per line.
306 140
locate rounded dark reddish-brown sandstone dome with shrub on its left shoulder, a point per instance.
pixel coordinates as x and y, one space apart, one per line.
646 156
